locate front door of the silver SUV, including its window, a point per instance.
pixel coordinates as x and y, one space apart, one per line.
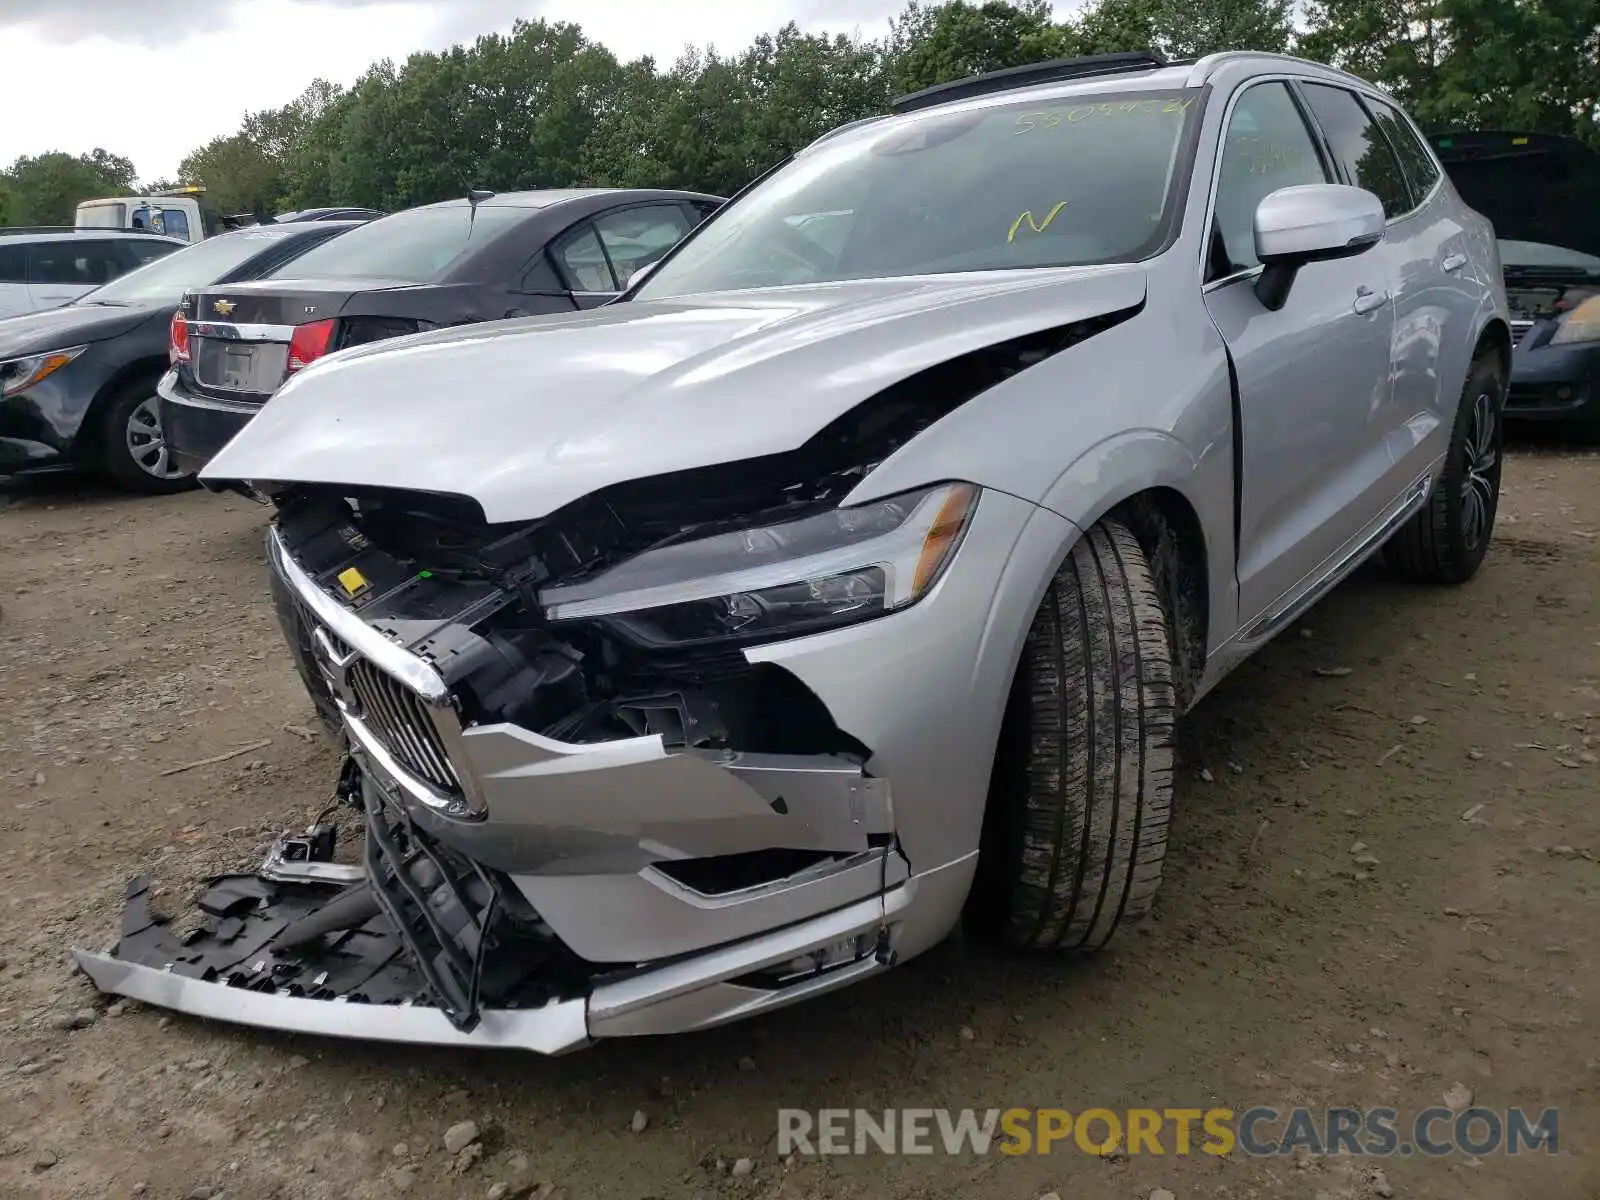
1313 377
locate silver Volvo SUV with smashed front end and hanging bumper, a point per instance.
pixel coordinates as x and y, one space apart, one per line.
842 583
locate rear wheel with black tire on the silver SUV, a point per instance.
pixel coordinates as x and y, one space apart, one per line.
1447 540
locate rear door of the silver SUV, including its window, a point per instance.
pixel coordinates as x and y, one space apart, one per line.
1425 254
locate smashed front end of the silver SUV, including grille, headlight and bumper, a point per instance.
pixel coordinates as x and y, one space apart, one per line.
582 817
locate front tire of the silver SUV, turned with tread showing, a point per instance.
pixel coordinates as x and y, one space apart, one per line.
1076 828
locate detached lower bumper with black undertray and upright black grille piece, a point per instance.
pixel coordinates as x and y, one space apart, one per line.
422 945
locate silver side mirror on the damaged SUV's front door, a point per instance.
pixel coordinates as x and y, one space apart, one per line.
1311 223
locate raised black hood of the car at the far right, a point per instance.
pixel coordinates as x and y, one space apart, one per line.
1532 186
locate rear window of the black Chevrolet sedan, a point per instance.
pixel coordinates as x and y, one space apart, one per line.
414 247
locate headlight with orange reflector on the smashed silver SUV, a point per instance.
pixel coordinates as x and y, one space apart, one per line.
782 580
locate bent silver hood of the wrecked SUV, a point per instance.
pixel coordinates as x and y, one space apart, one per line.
529 415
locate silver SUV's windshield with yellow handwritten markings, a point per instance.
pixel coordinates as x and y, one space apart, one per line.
1039 185
